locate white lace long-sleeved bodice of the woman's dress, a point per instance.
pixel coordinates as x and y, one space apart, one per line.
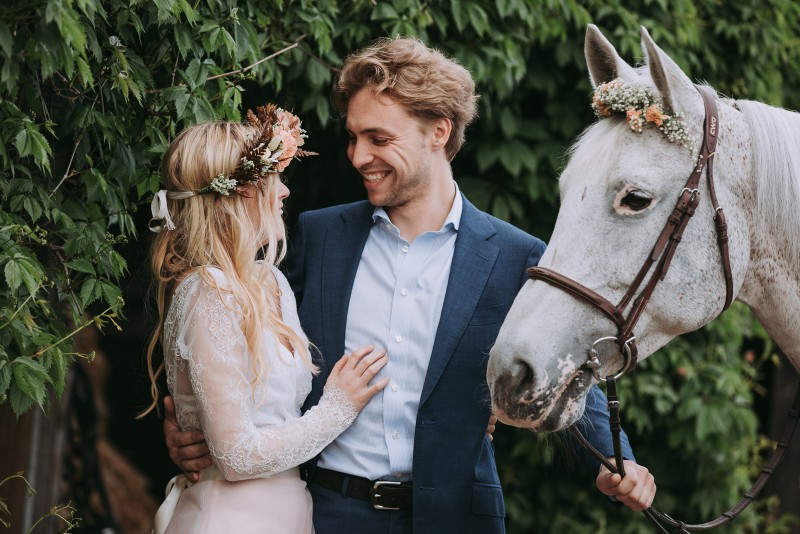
250 433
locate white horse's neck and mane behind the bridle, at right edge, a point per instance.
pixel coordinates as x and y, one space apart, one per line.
769 199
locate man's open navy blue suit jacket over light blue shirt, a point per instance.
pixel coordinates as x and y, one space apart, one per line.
456 486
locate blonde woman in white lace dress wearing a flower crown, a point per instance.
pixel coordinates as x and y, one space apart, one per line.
237 362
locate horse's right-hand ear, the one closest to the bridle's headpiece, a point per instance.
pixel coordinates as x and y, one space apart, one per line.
677 90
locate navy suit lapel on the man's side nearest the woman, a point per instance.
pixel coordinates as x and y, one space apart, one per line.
344 243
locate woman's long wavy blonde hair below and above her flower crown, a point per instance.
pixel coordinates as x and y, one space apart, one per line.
217 231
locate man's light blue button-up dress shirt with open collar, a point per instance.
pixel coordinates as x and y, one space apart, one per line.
396 303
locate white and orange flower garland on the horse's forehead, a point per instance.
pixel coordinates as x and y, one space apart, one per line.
640 106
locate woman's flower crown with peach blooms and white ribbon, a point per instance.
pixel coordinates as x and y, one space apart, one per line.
269 151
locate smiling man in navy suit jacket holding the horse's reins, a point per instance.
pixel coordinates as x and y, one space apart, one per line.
420 271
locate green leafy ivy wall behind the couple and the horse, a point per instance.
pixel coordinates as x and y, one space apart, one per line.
91 92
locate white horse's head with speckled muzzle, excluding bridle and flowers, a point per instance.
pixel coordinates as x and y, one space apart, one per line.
617 193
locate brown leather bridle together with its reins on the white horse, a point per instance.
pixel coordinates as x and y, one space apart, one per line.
661 256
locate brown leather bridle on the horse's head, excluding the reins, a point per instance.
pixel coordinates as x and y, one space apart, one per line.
661 254
